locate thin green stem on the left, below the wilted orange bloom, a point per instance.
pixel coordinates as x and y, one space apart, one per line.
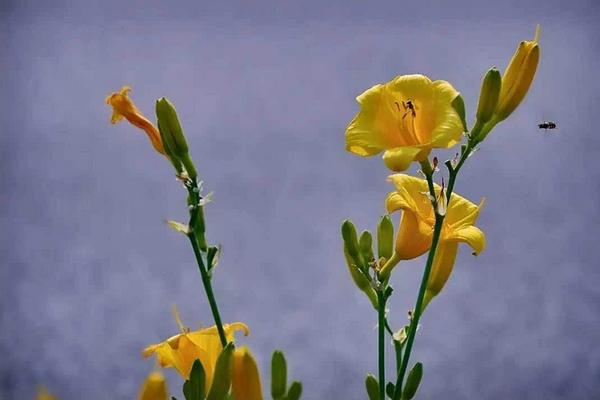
195 236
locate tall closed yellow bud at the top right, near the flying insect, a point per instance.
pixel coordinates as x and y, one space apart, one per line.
518 76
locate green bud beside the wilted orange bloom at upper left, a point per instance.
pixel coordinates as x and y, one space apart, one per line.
172 135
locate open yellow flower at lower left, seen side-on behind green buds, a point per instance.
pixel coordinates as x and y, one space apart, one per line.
180 351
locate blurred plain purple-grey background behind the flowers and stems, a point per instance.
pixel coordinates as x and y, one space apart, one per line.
89 270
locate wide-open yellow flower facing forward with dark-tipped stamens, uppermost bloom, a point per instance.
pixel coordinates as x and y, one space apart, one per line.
405 118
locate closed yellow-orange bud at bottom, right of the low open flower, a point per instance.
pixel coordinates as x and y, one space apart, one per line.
246 378
